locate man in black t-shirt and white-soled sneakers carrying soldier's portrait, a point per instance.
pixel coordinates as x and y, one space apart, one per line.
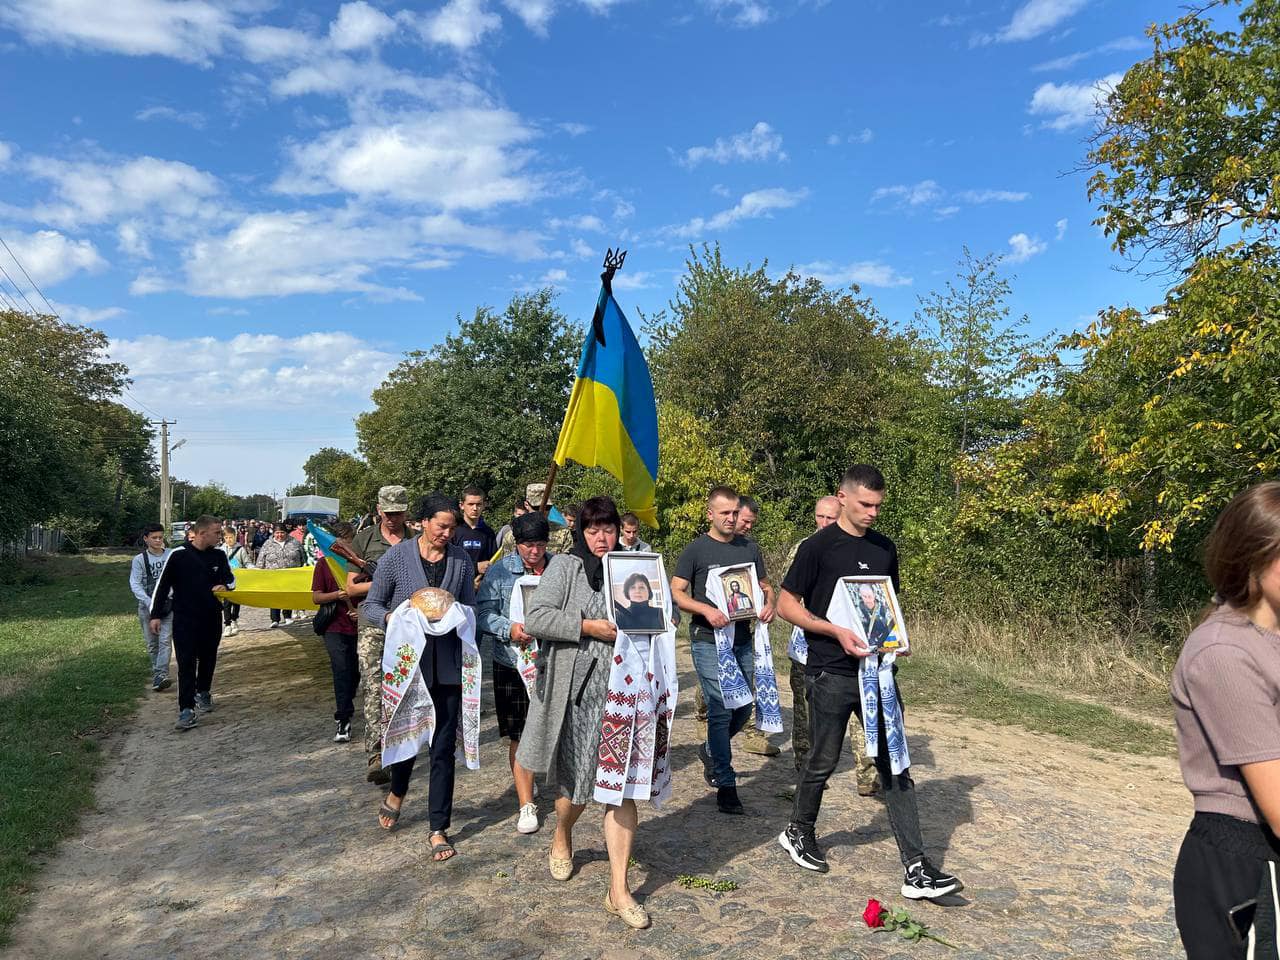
848 548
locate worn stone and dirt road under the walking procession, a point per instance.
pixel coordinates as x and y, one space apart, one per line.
255 836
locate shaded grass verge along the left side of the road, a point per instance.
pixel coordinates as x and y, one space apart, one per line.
72 668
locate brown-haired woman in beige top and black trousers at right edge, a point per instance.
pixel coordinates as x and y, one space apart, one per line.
1226 692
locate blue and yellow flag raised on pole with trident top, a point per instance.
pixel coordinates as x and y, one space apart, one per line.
612 418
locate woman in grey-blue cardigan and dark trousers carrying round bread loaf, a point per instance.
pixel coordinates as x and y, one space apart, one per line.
428 560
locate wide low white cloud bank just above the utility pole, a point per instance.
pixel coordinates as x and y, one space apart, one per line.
252 372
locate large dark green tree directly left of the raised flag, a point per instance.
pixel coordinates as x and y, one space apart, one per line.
483 408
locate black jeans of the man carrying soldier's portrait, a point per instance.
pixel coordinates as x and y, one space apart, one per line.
833 700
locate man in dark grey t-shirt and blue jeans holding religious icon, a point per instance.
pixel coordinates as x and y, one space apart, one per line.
720 547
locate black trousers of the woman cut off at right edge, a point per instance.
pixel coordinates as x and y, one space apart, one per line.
1220 866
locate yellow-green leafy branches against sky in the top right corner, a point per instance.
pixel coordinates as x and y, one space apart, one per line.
1188 156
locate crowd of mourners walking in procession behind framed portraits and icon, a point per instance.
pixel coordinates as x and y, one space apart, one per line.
533 597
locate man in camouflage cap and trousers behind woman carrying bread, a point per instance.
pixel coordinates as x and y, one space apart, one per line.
371 545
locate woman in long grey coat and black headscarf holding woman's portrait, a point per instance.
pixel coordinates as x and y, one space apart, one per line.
563 733
